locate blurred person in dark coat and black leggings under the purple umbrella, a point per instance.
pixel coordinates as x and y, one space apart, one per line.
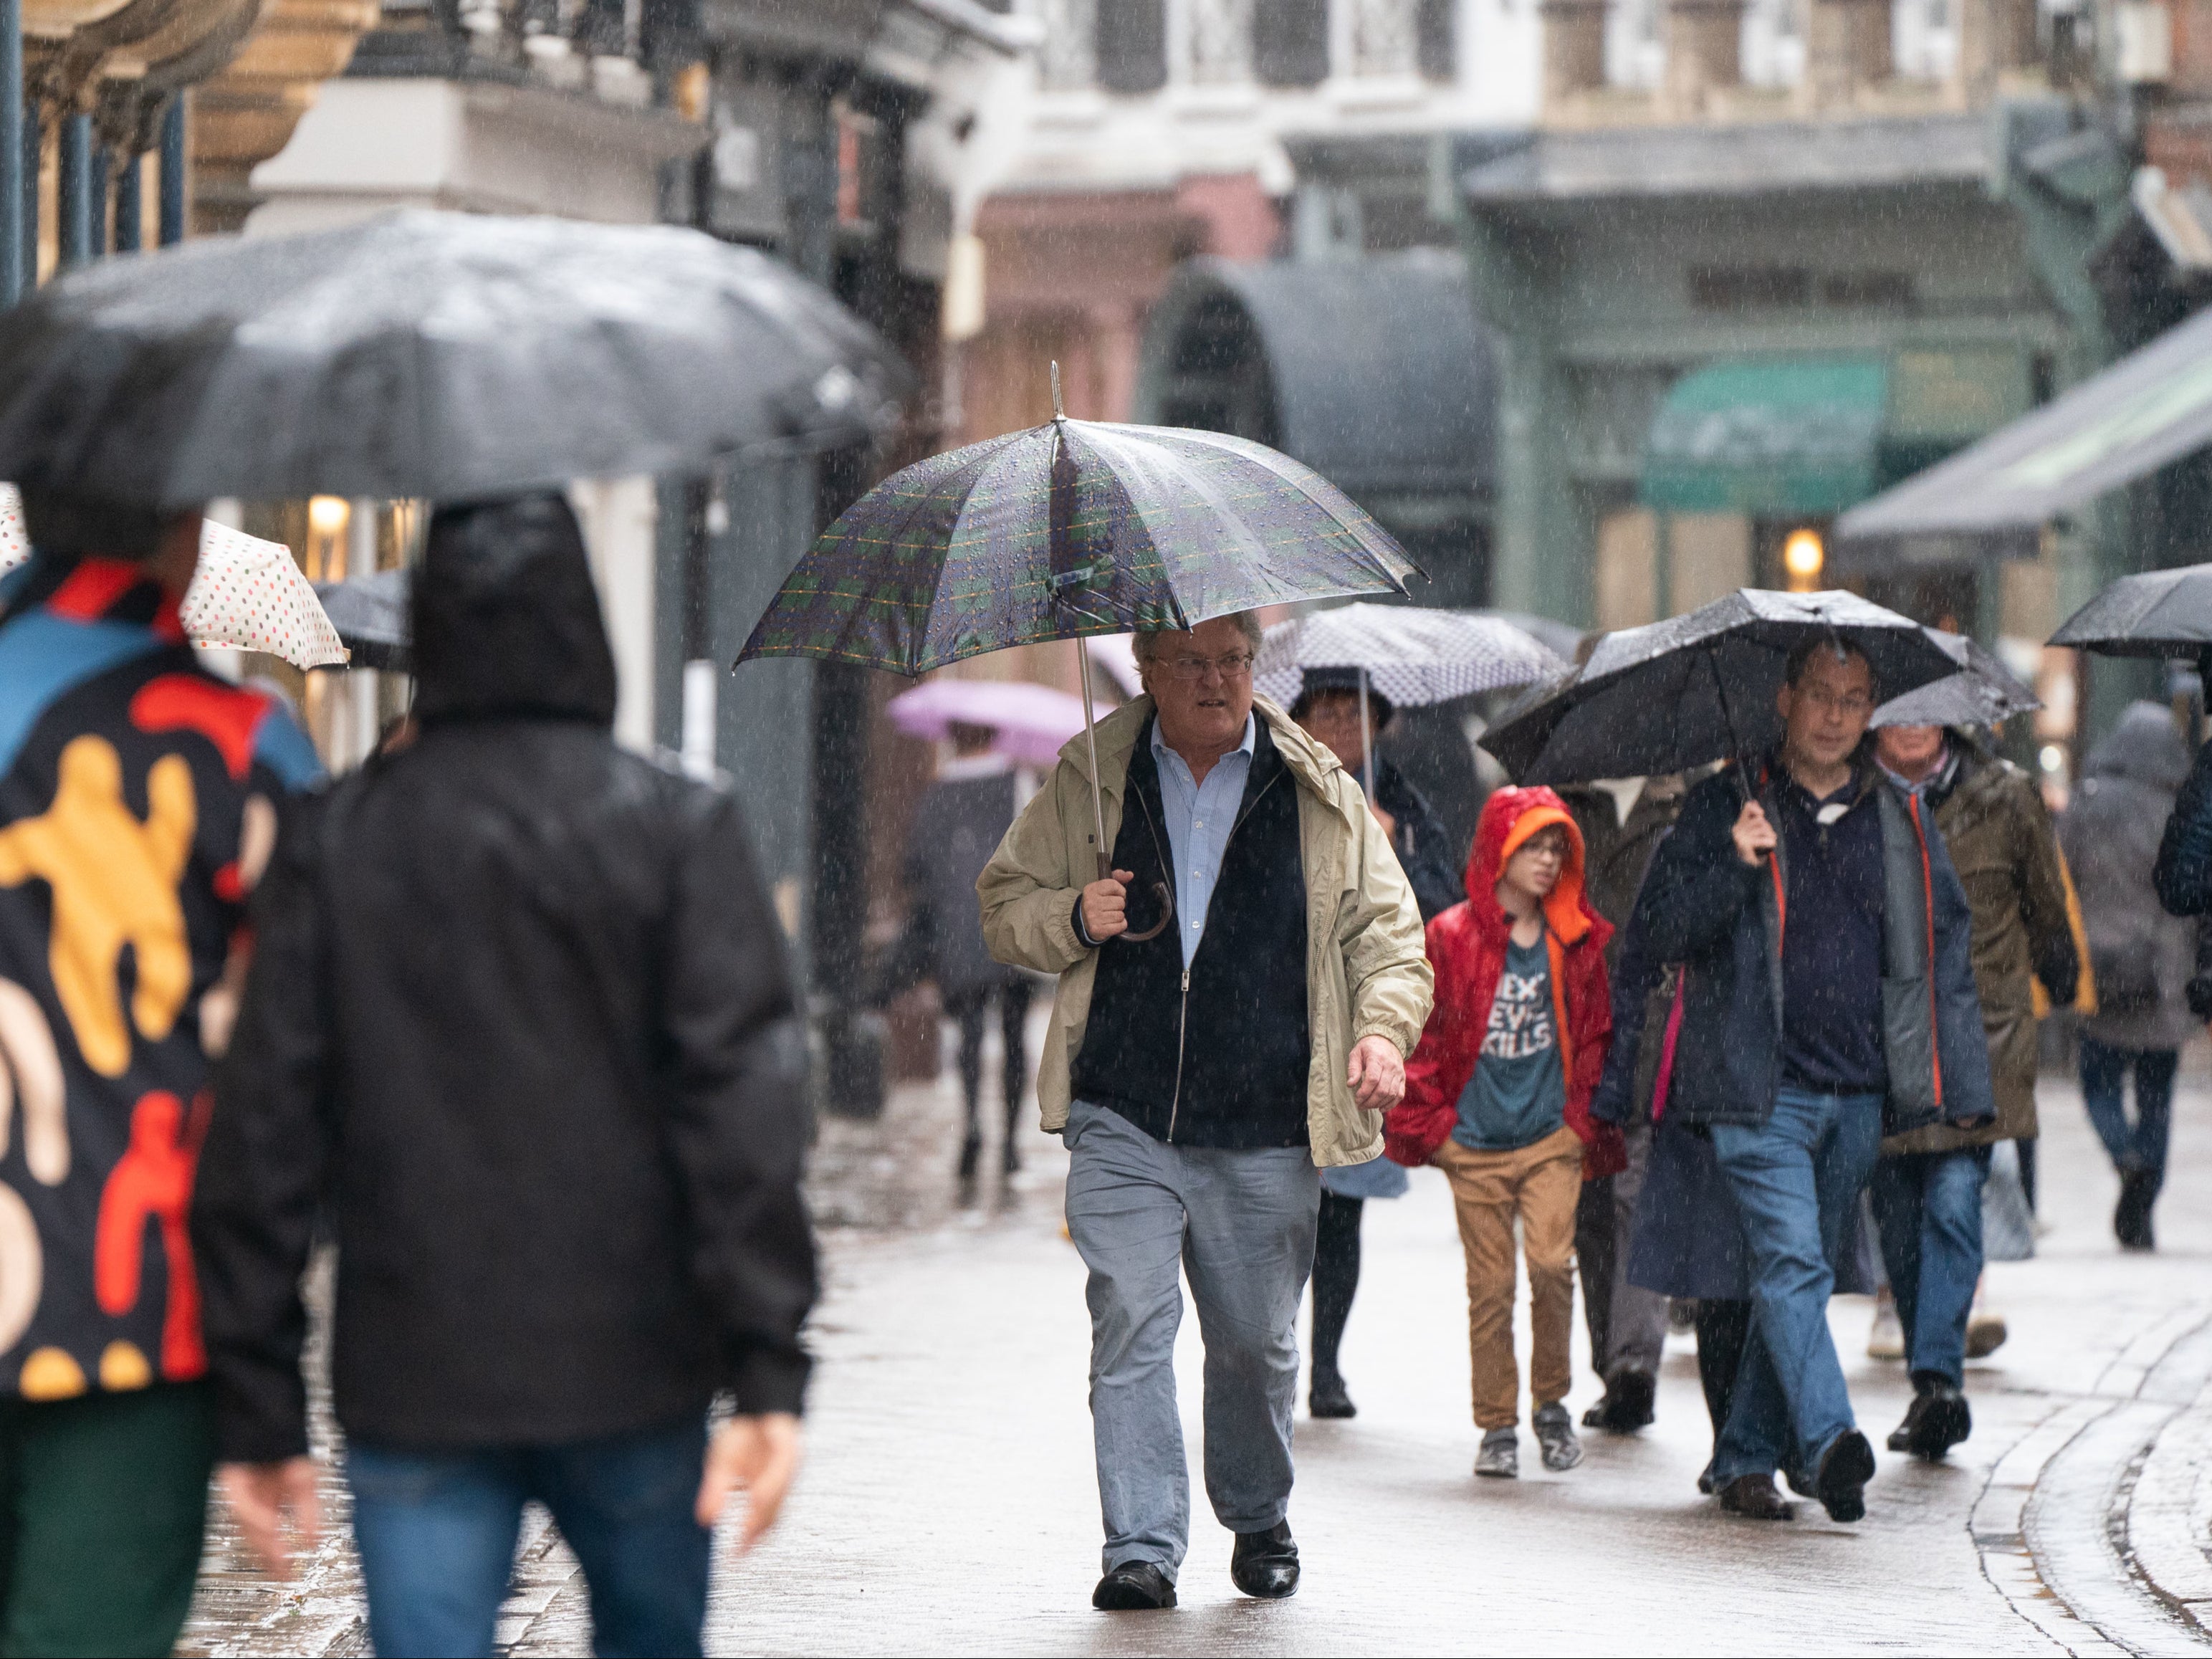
954 833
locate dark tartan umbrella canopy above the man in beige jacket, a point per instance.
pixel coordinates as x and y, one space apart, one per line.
1072 530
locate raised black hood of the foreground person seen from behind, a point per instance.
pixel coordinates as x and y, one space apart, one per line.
508 620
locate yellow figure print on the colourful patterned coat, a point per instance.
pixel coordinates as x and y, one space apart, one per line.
114 884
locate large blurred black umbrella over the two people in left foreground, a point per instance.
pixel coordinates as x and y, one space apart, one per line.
426 355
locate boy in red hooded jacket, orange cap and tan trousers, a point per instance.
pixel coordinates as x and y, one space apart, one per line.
1499 1096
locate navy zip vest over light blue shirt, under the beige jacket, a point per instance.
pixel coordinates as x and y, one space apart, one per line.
1227 1061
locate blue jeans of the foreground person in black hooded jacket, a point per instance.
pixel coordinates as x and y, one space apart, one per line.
437 1536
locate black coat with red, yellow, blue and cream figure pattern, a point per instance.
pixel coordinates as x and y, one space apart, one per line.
138 806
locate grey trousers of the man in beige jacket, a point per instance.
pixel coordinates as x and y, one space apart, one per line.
1242 1227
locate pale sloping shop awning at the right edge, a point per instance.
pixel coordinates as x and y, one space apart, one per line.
2147 410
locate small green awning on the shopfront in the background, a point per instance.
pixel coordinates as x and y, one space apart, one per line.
1771 437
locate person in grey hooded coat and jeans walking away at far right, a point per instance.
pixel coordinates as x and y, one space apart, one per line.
2140 954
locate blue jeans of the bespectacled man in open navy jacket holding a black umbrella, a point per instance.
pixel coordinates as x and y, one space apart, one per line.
1797 1180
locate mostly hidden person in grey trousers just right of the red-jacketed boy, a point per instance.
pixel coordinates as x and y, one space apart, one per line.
1623 824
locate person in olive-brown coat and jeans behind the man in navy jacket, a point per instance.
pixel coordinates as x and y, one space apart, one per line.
1928 1185
